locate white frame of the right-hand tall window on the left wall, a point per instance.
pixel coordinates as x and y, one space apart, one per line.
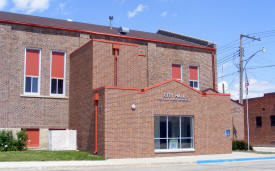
64 78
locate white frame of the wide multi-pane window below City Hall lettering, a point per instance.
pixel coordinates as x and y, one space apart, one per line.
180 137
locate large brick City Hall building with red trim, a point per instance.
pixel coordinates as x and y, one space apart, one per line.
128 94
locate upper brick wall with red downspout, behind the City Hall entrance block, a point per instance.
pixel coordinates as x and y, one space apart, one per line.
132 69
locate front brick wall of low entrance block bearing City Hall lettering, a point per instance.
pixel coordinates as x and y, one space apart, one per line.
131 133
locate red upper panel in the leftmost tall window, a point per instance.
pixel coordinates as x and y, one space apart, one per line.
32 62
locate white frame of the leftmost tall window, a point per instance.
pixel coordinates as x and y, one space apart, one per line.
38 86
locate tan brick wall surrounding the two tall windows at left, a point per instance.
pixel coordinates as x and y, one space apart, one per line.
43 111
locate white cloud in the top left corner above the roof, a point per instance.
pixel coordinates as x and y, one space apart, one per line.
31 5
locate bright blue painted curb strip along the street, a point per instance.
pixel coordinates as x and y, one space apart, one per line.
234 160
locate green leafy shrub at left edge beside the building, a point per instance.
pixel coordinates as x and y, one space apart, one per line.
9 143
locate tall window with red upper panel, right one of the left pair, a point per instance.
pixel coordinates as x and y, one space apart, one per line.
57 73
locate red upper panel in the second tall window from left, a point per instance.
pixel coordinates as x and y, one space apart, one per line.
58 64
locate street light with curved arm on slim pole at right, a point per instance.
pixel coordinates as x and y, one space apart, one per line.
246 84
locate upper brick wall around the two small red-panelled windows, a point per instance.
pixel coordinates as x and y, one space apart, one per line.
160 58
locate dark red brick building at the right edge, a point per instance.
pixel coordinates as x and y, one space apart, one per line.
261 120
